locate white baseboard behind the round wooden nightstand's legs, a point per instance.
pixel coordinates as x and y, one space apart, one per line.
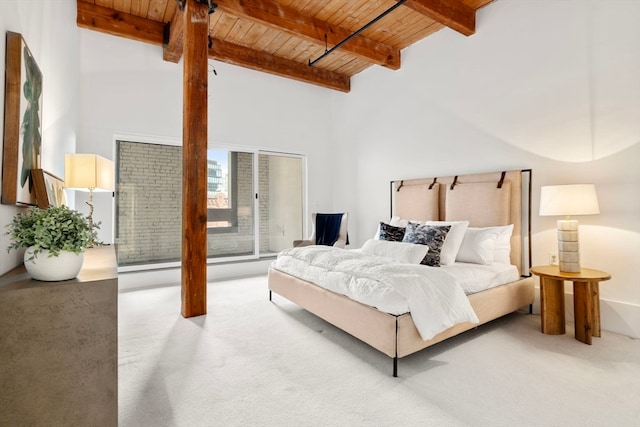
615 316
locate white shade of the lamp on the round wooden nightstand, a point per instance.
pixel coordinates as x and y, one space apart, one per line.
567 200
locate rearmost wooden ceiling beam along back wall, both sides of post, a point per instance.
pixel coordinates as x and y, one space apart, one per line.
116 23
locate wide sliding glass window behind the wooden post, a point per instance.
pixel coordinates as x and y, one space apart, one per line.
242 223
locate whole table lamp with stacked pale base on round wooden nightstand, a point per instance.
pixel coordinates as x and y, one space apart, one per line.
567 200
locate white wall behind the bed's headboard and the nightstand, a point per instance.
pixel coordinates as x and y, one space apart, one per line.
547 85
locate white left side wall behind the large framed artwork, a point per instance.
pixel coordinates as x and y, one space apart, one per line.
48 29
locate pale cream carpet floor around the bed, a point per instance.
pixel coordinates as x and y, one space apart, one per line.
251 362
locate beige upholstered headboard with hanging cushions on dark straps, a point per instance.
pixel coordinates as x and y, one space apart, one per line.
488 199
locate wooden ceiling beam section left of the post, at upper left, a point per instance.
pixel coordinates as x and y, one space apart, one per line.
117 23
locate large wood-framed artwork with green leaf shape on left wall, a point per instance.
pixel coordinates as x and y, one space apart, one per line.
22 122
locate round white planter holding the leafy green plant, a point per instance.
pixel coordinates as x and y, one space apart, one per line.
65 266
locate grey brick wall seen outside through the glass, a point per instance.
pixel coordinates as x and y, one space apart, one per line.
149 206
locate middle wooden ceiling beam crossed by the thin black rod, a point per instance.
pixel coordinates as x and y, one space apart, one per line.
289 20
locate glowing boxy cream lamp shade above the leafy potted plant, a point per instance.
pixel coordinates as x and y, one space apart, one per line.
88 172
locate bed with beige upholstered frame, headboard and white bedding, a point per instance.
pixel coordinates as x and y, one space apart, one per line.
488 201
